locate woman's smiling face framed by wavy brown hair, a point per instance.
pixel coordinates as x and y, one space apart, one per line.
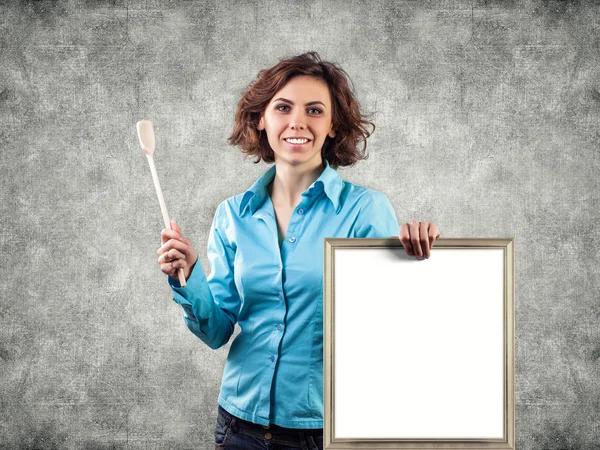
302 110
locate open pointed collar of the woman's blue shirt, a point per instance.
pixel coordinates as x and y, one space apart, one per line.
329 181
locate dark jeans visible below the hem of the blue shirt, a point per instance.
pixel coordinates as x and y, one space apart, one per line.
232 433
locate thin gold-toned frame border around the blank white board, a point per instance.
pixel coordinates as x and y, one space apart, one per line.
508 440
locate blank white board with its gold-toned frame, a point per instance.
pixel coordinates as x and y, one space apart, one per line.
419 354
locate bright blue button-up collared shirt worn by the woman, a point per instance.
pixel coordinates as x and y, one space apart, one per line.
274 370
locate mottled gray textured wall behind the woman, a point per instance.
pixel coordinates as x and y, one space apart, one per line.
488 119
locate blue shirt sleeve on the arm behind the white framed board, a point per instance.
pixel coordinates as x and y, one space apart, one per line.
376 218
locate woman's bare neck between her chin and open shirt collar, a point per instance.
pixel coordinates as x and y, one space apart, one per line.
291 181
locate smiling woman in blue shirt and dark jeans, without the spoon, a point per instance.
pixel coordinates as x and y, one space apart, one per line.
266 252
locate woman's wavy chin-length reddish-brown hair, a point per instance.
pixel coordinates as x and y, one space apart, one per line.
348 121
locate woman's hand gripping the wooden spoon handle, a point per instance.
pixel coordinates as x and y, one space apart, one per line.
175 252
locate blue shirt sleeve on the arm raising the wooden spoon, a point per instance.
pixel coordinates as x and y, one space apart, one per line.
211 304
